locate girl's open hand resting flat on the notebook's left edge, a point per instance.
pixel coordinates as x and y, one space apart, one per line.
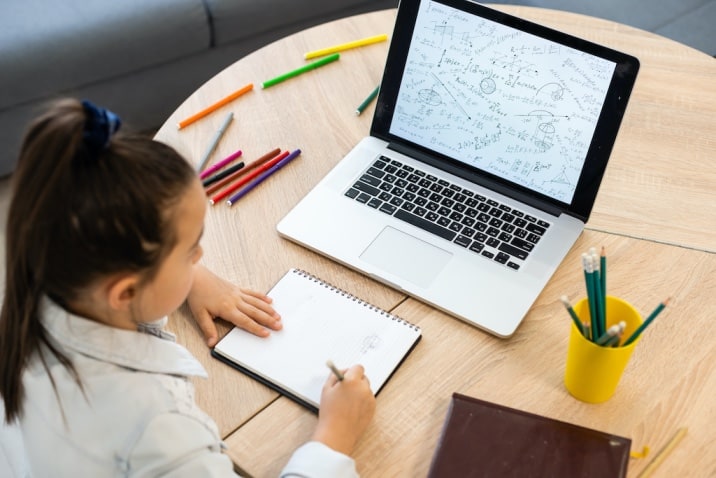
212 297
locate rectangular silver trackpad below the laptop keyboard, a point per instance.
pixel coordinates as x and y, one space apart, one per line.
406 256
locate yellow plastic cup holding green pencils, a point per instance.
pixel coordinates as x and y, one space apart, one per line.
593 371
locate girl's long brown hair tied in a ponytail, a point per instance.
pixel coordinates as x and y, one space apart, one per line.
78 214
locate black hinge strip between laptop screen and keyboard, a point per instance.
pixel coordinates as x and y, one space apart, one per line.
477 178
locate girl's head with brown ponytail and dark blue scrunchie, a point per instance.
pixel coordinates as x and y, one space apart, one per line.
90 209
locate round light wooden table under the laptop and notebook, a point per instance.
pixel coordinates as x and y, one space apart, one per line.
655 214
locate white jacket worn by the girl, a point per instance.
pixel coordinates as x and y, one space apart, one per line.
136 415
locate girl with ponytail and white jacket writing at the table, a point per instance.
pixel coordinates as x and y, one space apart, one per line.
102 243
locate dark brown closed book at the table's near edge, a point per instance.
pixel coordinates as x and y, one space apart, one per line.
483 439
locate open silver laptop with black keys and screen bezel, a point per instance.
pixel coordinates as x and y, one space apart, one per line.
490 138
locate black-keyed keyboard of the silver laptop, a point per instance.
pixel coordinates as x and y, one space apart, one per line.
482 225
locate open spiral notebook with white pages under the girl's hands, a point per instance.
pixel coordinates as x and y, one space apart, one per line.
320 323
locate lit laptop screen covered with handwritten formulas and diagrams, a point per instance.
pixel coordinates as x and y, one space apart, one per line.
515 105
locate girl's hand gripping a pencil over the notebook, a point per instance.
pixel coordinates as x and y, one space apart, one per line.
347 406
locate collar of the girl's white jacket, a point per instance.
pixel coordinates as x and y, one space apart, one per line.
148 349
